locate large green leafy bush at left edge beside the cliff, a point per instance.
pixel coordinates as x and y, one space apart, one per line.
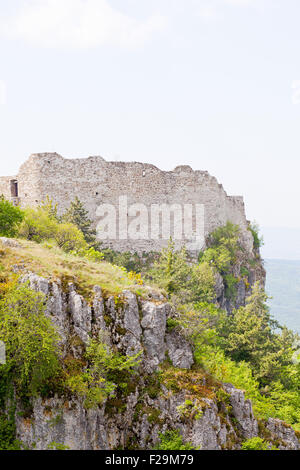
31 341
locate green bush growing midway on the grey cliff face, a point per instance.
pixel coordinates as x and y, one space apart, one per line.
100 379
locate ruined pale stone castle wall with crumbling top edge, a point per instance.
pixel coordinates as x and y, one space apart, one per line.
96 181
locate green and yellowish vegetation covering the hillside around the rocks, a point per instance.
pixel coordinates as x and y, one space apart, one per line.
242 345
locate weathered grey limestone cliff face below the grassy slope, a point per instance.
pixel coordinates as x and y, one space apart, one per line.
134 325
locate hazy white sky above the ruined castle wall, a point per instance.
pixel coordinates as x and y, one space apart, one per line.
210 83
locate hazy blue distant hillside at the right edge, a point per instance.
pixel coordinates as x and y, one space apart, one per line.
283 284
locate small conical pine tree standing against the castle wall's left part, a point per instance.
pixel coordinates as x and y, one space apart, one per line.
78 215
